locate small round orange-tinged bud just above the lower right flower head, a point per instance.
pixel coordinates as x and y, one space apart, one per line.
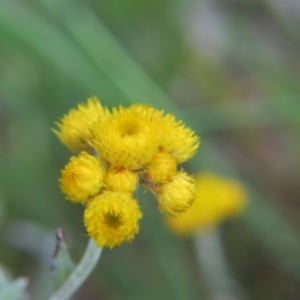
161 168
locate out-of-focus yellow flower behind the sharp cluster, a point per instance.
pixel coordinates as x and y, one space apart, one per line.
217 198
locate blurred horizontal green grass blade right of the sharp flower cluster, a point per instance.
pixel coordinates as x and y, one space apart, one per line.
236 115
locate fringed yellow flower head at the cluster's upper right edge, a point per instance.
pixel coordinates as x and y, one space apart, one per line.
176 139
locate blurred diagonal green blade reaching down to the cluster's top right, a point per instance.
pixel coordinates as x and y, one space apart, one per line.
111 58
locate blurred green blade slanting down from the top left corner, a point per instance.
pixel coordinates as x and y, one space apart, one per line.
23 26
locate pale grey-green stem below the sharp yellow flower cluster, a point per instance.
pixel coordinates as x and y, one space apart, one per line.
81 272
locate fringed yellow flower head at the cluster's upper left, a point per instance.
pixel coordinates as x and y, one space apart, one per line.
75 128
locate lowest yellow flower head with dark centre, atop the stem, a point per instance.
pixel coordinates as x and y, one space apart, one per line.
112 218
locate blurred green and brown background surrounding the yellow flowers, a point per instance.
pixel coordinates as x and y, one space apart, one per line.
229 69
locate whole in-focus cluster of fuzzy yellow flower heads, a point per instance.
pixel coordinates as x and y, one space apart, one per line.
118 150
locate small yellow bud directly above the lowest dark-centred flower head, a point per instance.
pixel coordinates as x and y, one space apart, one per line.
121 180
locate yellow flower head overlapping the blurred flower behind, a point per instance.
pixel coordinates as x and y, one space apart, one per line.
176 195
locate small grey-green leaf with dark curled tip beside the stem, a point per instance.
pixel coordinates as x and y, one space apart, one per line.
61 265
